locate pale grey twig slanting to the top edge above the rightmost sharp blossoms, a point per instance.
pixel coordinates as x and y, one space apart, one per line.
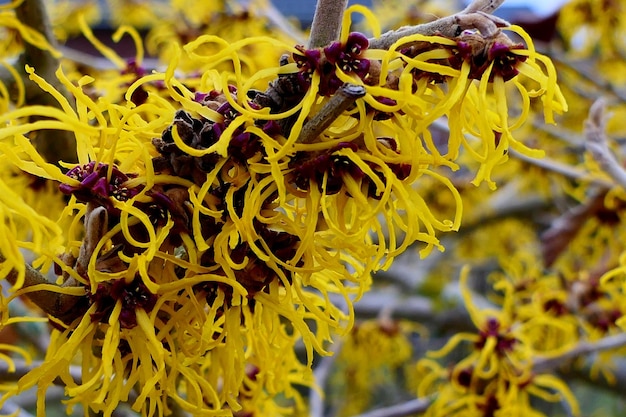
475 16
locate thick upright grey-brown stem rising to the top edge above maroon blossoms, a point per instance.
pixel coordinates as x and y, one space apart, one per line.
326 25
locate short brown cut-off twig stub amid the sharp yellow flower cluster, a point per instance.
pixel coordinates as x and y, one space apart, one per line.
341 101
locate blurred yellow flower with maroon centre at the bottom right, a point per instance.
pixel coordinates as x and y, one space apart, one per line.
497 375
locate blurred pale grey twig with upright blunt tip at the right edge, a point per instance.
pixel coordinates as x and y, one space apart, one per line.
597 143
